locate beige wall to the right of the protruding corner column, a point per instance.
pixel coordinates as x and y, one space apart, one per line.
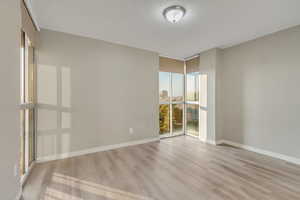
260 93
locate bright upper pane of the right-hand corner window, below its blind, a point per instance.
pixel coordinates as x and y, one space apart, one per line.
192 87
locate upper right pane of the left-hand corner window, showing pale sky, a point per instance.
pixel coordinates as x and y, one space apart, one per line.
177 87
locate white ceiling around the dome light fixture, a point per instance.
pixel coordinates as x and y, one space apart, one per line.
139 23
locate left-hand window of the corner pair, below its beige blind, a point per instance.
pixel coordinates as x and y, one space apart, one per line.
171 97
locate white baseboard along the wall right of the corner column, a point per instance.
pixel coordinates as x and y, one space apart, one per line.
261 151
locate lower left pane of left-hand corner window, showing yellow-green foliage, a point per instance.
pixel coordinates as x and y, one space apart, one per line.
164 118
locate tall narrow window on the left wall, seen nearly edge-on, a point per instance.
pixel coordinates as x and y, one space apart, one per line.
27 111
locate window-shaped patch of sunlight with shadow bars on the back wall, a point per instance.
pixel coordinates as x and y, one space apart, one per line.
54 116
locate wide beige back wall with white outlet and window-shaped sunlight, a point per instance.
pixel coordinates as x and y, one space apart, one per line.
91 92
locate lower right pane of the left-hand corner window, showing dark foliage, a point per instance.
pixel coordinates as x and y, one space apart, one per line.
177 115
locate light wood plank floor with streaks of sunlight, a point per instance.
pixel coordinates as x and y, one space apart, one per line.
180 168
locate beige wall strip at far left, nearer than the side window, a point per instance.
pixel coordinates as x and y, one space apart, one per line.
10 21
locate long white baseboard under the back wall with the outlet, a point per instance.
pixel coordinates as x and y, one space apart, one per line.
94 150
